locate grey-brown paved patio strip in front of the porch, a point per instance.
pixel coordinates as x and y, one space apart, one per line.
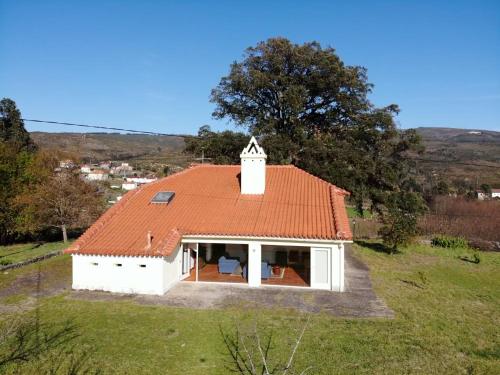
359 300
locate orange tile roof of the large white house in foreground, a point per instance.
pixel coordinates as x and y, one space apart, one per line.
208 202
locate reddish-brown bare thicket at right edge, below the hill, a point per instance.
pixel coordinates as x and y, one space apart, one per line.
461 217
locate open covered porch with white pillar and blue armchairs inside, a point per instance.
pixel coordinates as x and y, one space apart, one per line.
268 262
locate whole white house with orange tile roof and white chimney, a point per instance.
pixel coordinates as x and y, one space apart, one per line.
251 223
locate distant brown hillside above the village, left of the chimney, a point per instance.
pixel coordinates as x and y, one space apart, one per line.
109 146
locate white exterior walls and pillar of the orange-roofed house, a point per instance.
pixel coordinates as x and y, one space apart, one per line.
158 274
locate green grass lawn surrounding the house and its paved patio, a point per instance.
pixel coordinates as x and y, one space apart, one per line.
447 318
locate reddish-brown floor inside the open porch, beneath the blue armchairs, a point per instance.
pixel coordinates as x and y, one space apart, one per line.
210 272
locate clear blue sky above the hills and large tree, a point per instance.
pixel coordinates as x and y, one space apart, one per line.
150 65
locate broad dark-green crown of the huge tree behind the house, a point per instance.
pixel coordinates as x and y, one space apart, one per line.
312 110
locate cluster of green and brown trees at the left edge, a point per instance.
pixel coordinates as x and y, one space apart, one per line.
33 197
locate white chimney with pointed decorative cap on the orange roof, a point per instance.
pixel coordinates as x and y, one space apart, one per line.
253 169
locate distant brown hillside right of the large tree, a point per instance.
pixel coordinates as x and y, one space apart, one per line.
465 154
